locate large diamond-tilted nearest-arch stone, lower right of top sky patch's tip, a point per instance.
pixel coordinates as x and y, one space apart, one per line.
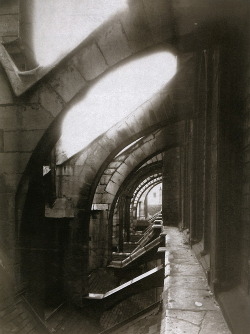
67 82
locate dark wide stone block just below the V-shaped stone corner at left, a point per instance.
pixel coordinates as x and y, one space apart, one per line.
35 118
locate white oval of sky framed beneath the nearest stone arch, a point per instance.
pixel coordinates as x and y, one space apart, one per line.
115 96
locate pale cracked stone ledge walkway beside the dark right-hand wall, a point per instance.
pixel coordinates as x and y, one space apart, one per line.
188 305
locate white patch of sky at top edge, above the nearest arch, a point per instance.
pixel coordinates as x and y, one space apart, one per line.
60 25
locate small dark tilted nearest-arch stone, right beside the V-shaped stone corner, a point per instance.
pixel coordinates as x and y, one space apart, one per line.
50 100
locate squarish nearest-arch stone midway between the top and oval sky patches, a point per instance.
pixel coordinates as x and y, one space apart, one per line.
90 62
